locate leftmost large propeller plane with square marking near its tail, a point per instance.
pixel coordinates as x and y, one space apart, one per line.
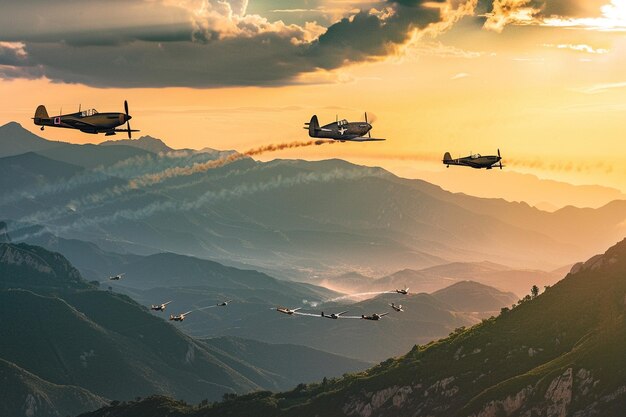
87 121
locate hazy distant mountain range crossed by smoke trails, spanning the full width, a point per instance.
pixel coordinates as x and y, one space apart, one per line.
293 219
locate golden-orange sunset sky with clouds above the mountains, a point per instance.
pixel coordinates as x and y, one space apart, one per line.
541 80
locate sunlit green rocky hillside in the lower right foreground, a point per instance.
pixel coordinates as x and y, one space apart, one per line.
560 354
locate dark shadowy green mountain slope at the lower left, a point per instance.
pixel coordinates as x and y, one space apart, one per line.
73 347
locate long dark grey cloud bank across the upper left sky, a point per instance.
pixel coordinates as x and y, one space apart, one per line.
101 44
